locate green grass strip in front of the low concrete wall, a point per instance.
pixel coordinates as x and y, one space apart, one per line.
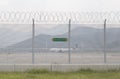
44 74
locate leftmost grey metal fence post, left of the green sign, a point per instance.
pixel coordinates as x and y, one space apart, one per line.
33 37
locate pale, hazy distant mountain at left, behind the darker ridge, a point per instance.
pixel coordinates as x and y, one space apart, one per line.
14 33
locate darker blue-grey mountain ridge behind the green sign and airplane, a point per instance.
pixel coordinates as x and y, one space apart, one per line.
81 37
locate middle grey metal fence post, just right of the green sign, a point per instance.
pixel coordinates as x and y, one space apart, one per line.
69 41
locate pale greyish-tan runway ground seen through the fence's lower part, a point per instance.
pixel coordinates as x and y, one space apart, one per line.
59 58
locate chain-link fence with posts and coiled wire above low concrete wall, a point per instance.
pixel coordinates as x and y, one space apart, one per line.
54 37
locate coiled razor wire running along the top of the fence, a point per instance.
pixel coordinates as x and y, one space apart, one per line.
59 17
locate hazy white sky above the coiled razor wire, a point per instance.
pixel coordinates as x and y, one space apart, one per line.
60 5
